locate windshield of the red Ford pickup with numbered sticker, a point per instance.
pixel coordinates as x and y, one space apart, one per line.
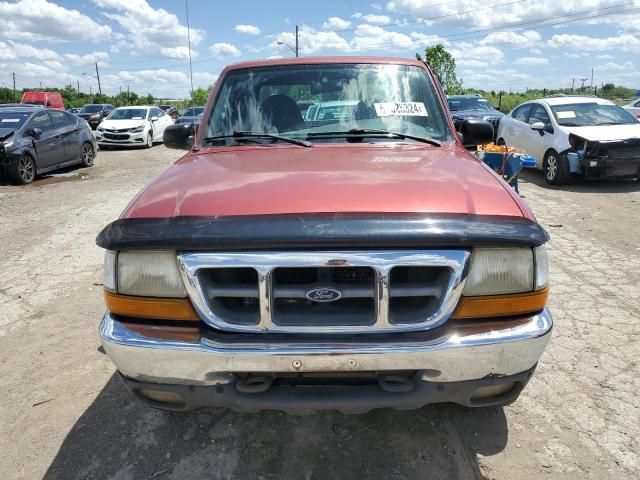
344 99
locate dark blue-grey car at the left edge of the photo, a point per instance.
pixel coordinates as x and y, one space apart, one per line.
35 141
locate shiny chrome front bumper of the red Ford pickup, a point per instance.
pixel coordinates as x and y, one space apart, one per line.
454 356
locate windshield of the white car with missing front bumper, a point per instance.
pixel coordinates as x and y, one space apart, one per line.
591 114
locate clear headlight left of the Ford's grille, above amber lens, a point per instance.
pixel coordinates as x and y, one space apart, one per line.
146 274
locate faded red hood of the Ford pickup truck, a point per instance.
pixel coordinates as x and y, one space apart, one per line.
372 178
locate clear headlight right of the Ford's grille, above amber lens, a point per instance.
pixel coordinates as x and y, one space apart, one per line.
496 271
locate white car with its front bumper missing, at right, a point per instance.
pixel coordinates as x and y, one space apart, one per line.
542 128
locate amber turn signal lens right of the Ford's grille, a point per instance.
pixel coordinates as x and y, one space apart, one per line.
501 305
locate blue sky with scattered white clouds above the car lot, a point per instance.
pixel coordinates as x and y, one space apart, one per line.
143 44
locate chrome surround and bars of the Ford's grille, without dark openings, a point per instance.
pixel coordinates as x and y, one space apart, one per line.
381 260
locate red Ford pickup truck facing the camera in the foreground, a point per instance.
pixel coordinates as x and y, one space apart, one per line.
352 260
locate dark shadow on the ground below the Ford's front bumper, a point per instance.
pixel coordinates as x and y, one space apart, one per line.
119 438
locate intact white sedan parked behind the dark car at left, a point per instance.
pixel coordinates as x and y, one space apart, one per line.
133 126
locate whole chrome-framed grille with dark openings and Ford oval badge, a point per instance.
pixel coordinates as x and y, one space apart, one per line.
380 291
